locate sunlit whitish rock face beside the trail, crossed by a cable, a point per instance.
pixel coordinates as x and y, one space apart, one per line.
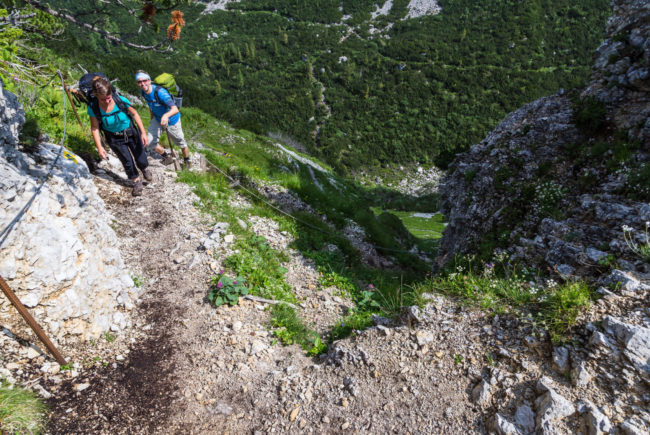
61 259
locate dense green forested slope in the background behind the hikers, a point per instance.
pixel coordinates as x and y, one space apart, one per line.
422 91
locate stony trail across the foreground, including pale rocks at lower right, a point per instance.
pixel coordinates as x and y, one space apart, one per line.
186 367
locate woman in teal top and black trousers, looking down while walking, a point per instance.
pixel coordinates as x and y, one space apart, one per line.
126 140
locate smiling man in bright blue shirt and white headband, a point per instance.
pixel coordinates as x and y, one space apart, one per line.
164 115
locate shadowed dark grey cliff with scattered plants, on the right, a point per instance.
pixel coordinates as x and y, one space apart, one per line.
557 180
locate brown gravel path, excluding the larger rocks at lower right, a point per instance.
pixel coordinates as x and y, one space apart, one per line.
191 368
